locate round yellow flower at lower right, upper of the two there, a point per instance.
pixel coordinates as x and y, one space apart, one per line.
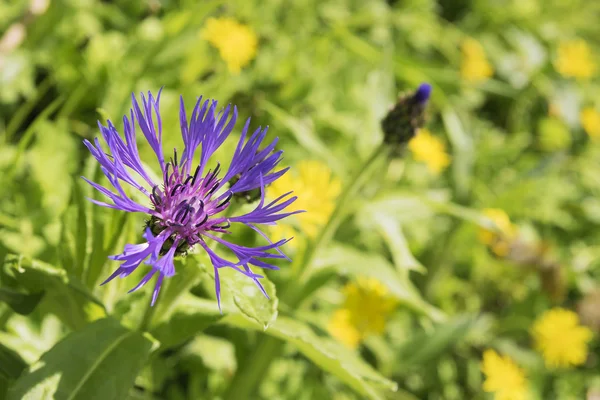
560 338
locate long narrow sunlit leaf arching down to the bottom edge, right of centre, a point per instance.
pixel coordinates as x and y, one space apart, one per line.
326 353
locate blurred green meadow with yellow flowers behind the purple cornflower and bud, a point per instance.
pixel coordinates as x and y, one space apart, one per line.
463 266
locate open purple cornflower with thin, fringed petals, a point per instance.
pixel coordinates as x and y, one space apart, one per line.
187 207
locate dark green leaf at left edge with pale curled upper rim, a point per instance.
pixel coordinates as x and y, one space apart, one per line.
64 296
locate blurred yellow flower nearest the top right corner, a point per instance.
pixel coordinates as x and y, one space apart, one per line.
575 59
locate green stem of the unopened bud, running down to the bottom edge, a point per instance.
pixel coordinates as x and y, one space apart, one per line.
248 377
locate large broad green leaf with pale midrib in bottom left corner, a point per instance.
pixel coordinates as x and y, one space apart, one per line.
100 361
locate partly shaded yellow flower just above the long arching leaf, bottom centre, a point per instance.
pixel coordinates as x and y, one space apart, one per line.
365 311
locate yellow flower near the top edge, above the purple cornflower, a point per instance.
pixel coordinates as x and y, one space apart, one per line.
236 42
